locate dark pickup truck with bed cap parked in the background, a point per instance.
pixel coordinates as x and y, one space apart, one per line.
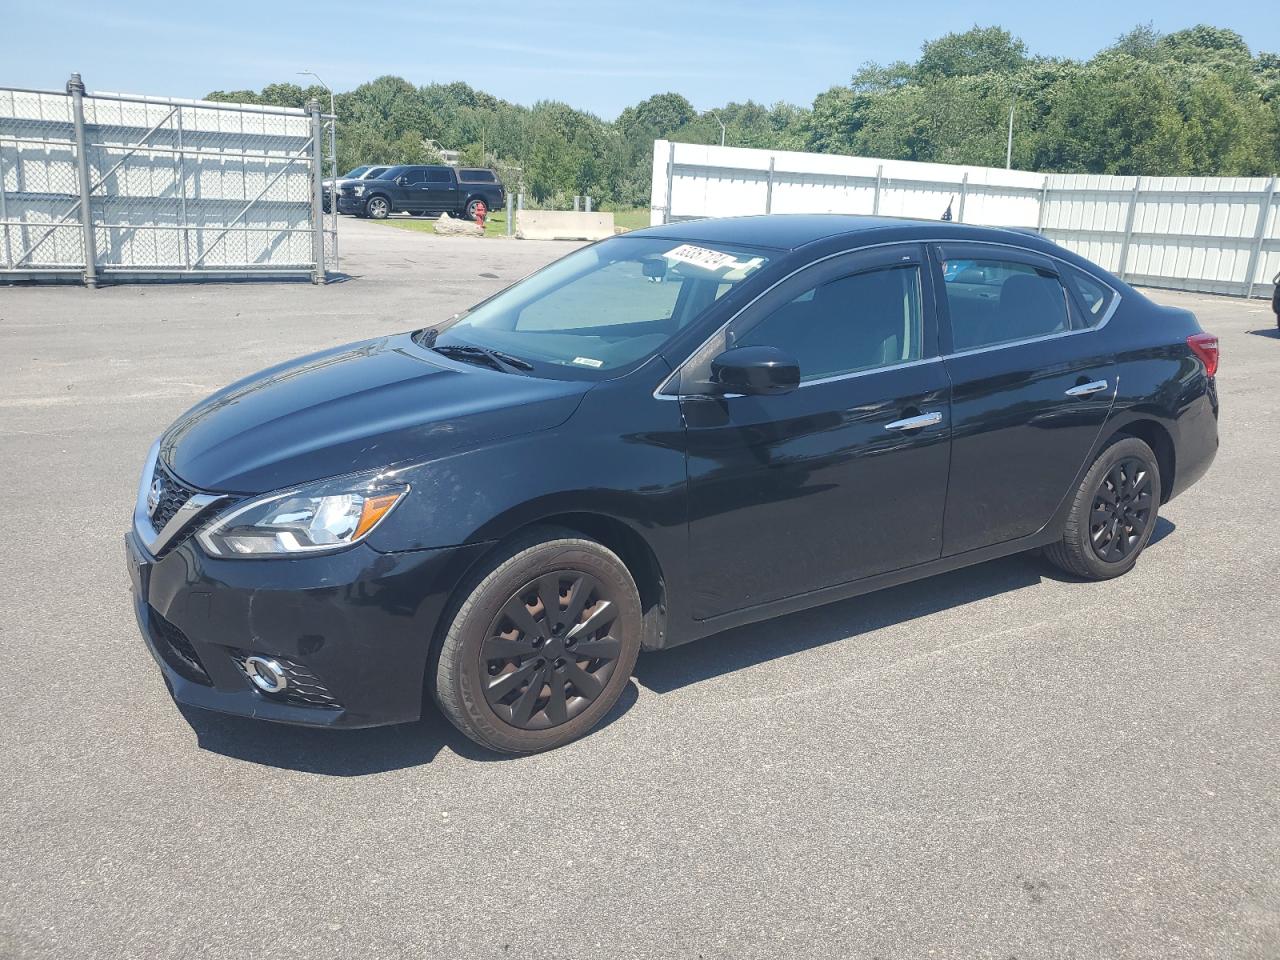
422 190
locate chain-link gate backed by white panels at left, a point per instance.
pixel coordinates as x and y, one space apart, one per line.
127 188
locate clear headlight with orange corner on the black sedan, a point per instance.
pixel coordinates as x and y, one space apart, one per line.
313 519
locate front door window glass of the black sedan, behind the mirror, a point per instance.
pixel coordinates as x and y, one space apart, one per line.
854 323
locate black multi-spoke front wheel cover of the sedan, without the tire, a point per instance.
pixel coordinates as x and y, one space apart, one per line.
548 653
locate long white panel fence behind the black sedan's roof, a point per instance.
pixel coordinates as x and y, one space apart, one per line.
1199 234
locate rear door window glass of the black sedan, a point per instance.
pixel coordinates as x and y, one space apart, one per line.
1000 301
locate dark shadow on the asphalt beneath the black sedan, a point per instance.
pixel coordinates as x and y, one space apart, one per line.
358 753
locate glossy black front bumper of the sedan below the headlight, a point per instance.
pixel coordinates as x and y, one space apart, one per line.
353 629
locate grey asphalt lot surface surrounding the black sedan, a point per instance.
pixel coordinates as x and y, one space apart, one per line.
994 764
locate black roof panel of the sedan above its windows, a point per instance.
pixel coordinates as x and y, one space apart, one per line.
794 231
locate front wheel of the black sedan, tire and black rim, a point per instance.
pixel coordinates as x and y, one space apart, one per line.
542 646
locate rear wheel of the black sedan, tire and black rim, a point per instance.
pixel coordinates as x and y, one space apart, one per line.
1113 514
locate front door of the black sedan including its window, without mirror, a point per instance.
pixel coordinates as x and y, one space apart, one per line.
845 477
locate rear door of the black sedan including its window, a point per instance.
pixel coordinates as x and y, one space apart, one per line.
1032 387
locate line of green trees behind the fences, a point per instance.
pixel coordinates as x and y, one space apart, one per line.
1190 103
